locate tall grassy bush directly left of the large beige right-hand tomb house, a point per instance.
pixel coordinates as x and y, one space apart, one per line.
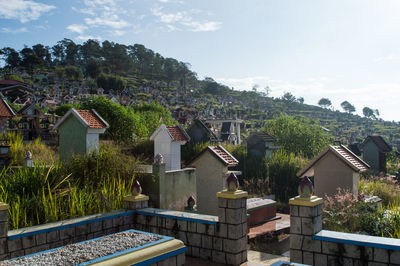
282 169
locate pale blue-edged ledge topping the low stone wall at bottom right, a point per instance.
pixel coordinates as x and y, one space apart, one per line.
359 240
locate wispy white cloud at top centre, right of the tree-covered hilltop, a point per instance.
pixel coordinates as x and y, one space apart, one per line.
185 20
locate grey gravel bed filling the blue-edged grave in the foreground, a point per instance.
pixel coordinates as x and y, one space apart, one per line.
77 253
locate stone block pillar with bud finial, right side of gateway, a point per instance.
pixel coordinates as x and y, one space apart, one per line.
305 221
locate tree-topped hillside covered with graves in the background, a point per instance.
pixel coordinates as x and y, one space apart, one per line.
130 74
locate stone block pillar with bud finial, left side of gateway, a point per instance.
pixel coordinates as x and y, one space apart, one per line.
232 219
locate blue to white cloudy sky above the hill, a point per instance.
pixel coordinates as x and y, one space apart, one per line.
343 50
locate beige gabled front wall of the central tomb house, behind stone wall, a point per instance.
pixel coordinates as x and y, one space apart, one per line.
210 179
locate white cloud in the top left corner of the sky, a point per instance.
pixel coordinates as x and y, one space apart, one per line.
23 10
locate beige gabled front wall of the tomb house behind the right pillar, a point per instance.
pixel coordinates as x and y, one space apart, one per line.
330 173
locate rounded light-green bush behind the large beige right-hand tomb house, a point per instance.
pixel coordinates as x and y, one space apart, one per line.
297 135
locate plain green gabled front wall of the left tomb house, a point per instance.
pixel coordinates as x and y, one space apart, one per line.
72 138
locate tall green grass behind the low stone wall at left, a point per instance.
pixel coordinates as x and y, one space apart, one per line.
45 193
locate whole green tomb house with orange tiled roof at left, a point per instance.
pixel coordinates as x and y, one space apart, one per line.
78 132
